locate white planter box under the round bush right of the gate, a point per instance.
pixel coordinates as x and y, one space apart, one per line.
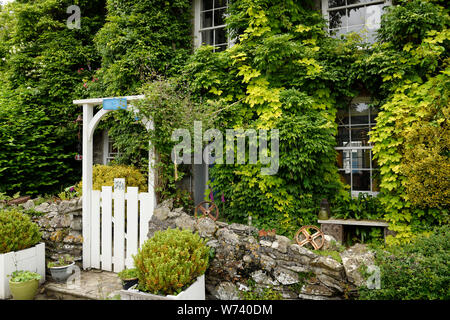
195 292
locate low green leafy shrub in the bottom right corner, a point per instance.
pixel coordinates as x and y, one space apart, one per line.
418 270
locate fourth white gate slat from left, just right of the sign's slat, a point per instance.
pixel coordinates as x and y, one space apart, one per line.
132 225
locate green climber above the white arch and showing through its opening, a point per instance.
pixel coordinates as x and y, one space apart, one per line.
141 41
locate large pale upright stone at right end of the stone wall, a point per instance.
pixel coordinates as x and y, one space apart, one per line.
353 258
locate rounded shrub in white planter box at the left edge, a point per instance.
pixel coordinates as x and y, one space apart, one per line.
19 247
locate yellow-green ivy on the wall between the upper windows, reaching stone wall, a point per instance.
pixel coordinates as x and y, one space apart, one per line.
279 74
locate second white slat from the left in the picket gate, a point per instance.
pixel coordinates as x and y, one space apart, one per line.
106 228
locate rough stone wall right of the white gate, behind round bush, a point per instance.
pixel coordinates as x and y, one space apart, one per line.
279 263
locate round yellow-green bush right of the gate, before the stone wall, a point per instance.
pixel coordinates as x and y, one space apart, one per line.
171 261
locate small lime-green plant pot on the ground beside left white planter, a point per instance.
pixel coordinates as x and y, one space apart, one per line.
24 284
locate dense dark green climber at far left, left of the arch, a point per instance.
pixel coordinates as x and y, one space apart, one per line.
40 62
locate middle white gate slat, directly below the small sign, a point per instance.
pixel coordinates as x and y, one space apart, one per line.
119 230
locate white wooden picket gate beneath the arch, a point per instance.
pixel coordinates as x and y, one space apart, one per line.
119 226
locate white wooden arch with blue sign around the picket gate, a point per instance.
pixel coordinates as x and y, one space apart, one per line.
90 123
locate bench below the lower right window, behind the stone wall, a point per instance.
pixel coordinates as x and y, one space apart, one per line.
335 227
